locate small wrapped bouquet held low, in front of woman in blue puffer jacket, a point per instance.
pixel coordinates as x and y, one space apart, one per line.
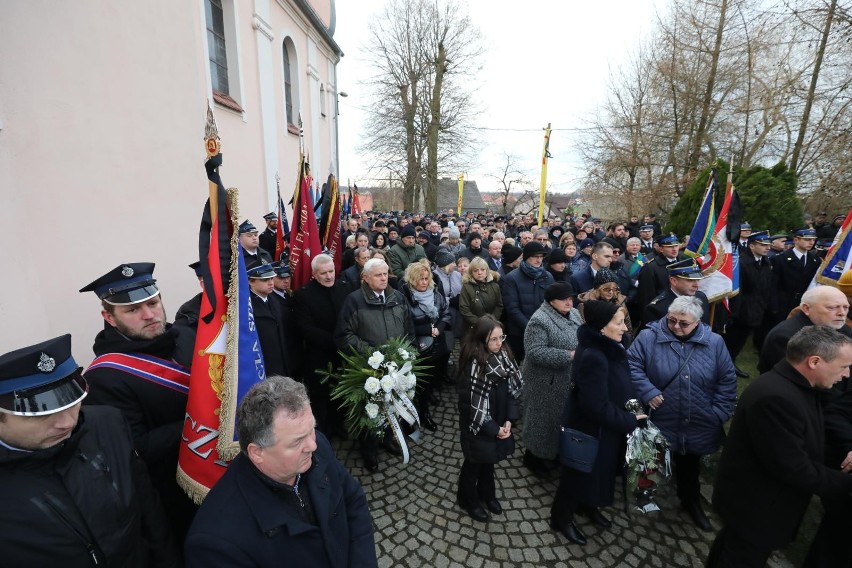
648 461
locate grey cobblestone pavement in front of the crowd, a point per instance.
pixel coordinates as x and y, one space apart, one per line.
418 523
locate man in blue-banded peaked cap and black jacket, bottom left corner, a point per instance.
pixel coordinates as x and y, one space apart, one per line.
53 459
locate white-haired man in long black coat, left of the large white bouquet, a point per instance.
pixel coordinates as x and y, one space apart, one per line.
316 307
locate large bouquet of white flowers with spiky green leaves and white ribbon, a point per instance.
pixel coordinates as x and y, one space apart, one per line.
375 389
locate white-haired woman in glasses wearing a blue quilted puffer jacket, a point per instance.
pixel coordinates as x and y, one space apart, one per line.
682 370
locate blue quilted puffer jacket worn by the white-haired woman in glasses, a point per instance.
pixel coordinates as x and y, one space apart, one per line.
702 396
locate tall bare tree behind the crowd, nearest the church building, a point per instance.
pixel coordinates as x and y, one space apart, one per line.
424 56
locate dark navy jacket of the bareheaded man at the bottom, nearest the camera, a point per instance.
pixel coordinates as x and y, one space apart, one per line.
244 522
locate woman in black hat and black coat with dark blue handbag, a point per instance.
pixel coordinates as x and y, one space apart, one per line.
601 386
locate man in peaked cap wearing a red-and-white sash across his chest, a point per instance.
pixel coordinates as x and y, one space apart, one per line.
142 369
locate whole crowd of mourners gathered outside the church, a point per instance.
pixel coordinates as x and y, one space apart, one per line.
555 325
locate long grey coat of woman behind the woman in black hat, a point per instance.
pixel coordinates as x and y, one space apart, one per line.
548 339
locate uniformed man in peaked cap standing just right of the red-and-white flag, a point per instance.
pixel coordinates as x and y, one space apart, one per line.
753 309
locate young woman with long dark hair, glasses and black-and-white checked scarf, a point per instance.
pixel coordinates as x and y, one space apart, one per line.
489 388
